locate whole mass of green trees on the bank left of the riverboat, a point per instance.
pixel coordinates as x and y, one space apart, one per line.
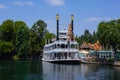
18 41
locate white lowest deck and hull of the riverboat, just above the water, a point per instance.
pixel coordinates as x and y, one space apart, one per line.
61 57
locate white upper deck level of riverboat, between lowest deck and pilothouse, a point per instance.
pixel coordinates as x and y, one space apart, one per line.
61 46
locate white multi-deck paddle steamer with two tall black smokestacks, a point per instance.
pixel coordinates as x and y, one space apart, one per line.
64 49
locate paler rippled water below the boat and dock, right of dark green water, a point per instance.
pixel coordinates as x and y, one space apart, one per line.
80 72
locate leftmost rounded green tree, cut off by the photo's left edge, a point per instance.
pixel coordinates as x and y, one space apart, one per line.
6 39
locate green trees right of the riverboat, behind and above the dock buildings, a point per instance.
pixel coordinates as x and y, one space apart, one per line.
108 33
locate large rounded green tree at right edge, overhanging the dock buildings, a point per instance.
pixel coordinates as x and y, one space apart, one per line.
108 33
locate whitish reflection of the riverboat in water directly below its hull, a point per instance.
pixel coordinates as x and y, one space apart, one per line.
60 71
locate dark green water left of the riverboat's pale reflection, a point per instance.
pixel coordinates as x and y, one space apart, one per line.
20 70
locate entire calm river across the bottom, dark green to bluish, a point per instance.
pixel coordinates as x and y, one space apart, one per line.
36 70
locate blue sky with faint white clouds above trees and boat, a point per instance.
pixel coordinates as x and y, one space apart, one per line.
87 13
